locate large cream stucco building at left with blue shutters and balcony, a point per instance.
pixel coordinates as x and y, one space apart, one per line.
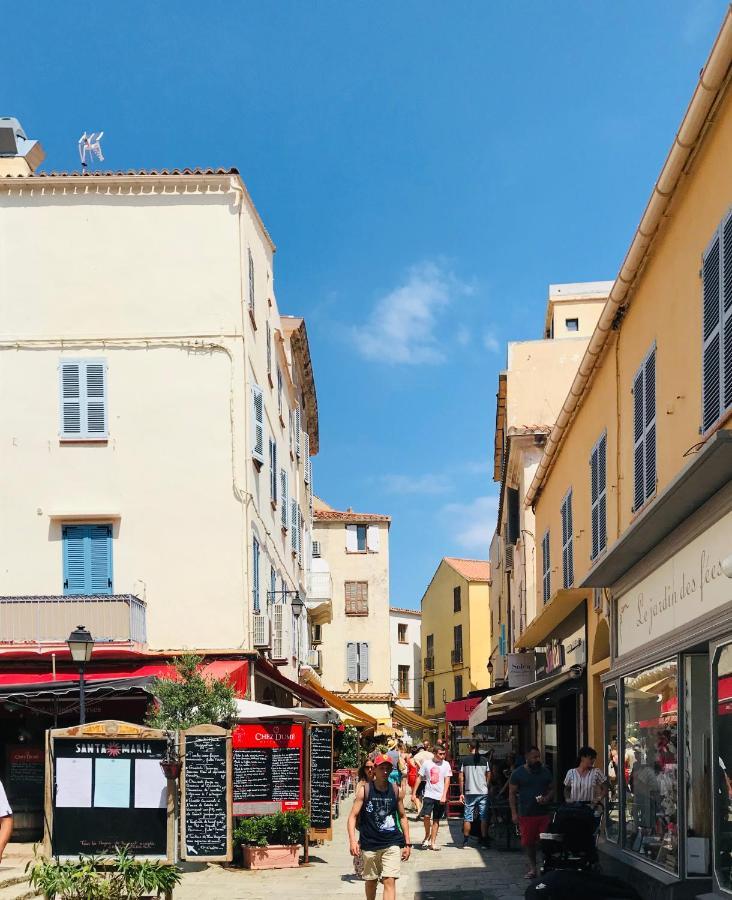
156 460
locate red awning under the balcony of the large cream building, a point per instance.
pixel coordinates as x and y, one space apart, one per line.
236 670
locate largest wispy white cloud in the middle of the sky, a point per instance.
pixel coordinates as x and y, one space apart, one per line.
402 327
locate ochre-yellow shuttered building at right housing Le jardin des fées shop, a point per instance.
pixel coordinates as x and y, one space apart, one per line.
633 507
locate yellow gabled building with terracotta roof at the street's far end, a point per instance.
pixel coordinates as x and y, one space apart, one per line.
456 637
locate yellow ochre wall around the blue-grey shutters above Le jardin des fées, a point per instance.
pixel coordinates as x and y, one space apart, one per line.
665 308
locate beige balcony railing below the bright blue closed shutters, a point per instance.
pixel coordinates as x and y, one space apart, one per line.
50 620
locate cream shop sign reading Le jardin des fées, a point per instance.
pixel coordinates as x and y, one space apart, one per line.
688 585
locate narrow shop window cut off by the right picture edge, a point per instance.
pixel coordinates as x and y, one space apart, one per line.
722 680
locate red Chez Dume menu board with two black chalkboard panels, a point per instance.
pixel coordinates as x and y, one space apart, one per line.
267 768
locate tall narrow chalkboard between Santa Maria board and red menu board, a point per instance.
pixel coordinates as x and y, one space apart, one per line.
205 792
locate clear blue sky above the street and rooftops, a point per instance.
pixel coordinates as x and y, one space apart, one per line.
426 170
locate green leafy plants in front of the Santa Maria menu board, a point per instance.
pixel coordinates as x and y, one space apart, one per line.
94 878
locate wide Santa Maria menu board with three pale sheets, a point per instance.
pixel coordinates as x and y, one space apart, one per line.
108 792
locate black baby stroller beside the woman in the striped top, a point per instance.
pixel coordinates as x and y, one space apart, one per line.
571 842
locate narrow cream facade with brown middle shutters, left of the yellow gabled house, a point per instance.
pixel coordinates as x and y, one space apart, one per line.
351 558
